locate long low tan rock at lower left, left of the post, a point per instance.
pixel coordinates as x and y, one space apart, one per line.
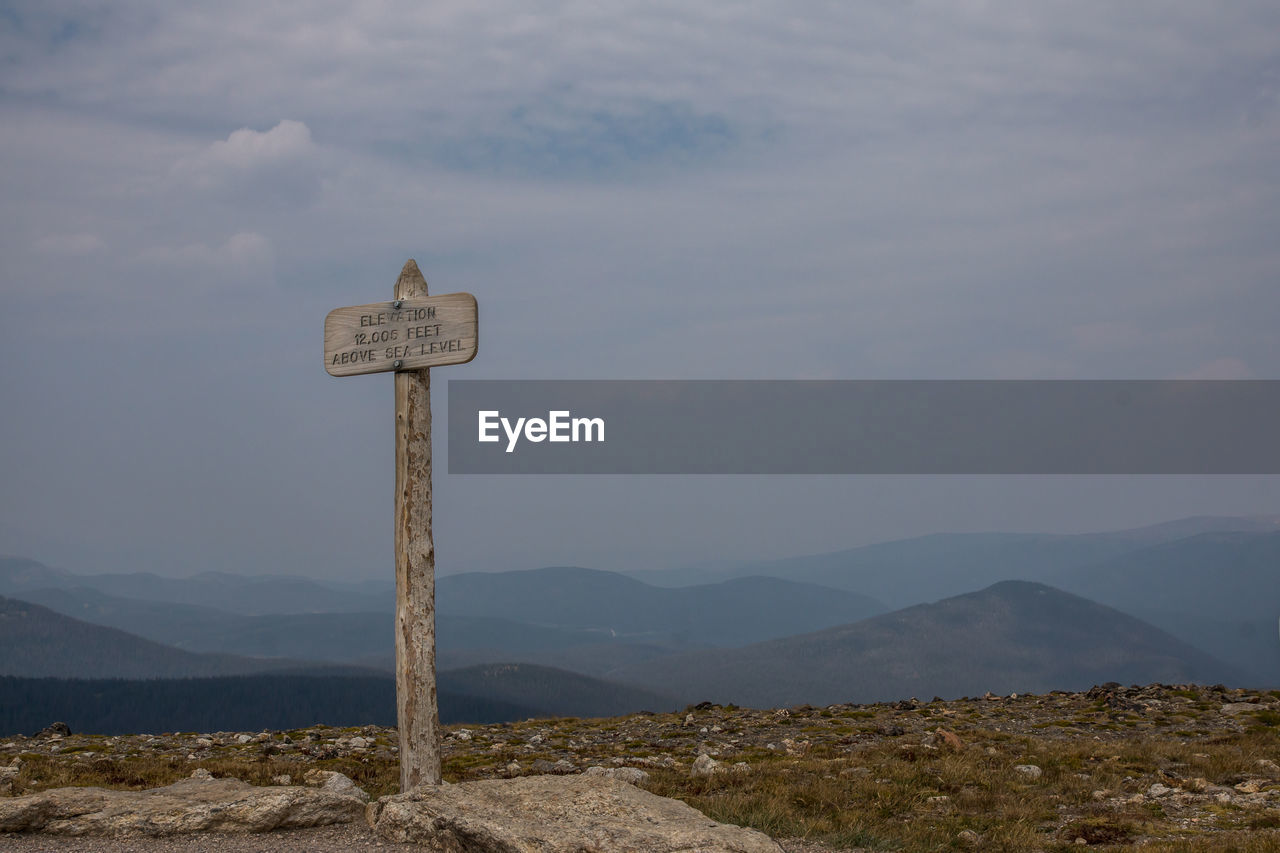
190 806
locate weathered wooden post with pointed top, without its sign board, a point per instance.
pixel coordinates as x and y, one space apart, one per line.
417 711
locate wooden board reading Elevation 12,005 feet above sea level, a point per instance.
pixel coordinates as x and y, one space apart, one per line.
404 335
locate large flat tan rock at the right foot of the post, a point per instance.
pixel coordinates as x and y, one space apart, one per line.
555 815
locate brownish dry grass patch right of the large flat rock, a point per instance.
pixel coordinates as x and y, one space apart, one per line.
829 799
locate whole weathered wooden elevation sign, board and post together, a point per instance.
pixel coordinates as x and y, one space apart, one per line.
410 335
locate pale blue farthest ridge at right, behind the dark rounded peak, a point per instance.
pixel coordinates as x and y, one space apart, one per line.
1213 582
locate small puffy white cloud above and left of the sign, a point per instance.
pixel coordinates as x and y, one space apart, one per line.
277 166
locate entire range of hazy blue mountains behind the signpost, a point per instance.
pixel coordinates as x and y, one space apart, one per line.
1191 600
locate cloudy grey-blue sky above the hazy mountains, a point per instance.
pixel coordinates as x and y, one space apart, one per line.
932 190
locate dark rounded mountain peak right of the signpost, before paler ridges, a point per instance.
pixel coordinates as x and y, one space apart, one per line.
1014 637
